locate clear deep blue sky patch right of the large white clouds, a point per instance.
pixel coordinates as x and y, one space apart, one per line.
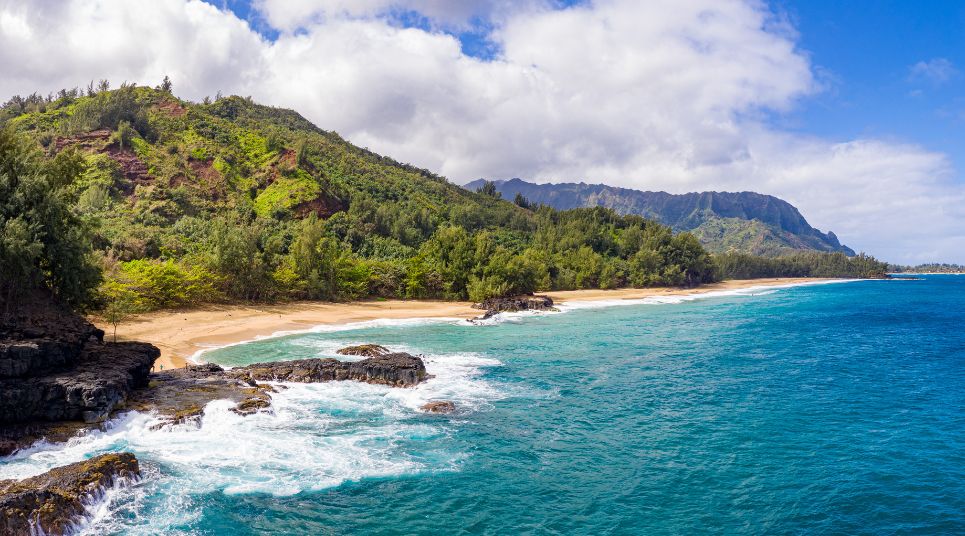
866 51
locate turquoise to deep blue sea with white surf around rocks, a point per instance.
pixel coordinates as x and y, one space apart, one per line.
824 409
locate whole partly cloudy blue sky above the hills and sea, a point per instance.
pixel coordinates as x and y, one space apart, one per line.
852 111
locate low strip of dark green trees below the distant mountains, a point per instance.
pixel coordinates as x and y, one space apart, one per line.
805 264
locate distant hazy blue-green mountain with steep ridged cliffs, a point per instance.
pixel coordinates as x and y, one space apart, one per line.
723 221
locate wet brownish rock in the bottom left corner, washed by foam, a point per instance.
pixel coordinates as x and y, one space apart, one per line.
54 502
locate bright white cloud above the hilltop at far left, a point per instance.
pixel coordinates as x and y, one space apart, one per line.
69 43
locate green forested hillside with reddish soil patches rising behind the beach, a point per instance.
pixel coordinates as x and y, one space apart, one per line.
132 197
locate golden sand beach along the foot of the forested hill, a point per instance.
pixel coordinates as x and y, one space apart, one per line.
184 334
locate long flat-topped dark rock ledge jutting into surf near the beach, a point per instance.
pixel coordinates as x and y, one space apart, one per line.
396 369
